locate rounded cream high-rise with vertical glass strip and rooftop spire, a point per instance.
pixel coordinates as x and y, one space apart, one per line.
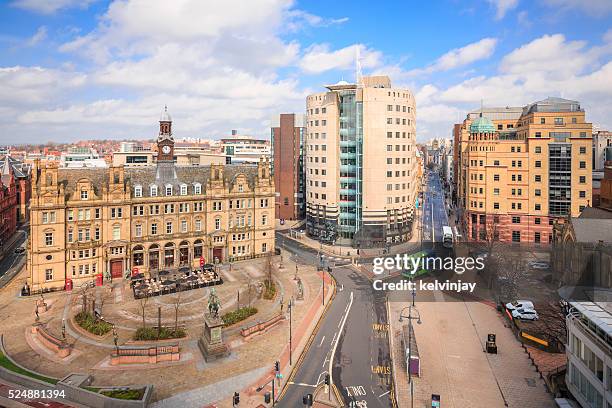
361 163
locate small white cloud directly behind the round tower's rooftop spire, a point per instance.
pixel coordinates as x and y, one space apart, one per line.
319 58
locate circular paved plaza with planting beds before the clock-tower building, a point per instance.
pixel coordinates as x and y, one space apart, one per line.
191 378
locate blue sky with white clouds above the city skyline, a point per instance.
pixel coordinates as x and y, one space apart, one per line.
84 69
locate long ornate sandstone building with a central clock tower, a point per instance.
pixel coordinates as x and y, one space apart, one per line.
86 222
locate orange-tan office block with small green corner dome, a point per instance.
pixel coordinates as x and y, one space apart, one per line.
518 172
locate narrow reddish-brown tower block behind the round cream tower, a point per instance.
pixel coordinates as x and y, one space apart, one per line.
287 135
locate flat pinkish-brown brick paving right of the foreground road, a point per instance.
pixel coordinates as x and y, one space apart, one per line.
453 364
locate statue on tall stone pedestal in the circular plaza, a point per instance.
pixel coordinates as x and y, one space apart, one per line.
211 342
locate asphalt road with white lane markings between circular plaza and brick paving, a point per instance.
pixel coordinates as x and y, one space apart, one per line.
353 336
